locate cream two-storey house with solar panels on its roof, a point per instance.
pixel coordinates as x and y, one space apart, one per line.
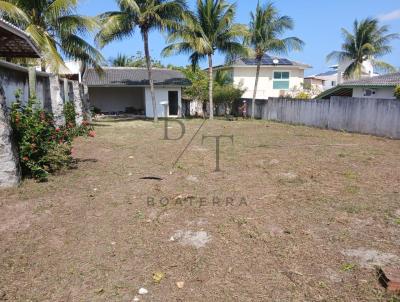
277 76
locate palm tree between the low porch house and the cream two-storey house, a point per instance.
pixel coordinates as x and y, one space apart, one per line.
211 28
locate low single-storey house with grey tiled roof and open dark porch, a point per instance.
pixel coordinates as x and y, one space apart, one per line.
127 90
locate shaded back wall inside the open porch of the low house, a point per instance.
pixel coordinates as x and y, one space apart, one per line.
115 99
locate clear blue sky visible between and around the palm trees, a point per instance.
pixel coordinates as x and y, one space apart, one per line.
317 23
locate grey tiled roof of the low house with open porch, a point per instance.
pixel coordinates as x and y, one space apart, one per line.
117 76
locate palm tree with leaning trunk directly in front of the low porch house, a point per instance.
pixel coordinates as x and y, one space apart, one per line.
147 15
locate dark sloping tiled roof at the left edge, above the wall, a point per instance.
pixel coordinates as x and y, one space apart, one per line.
14 42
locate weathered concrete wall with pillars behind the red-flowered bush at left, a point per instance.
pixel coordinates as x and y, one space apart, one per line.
50 91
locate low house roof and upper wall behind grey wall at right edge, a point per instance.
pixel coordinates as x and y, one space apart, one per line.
379 87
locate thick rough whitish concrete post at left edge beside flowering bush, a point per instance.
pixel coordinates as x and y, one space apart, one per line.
10 174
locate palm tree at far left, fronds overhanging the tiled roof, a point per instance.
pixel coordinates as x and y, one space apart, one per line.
56 28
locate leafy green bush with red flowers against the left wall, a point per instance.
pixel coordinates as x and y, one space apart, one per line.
43 148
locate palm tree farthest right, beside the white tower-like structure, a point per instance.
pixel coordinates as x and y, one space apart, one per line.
368 41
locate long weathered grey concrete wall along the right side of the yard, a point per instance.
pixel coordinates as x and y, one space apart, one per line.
369 116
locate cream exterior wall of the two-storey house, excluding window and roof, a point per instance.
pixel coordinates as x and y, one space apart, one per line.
245 76
